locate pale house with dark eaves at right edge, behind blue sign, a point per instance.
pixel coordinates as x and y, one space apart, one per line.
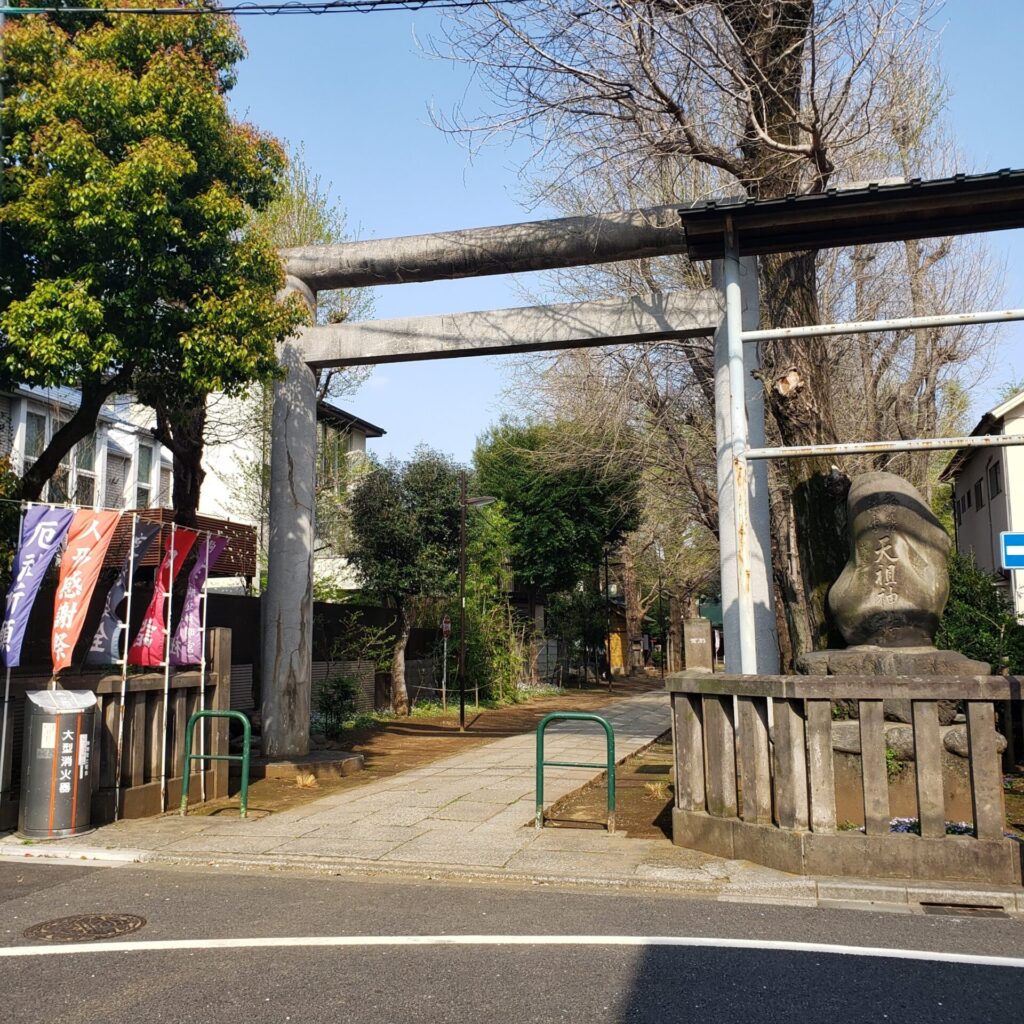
989 493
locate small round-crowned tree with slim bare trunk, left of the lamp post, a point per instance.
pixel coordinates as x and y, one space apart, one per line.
405 541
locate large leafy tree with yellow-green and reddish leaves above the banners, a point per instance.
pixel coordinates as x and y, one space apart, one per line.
127 188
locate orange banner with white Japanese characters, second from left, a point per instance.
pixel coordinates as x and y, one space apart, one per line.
89 539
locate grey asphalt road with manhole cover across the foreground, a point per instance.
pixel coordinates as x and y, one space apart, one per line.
492 982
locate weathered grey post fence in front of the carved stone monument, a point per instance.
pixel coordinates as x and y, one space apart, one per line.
764 794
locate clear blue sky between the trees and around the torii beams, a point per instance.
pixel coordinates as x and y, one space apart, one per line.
357 90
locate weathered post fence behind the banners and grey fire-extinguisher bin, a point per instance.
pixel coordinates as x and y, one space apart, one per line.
143 734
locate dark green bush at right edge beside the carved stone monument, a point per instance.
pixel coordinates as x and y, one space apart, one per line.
979 621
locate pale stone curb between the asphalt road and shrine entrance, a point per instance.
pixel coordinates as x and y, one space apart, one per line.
855 893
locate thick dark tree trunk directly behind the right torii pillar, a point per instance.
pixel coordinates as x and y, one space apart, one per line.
798 392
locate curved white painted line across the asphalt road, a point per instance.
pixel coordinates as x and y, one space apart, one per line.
359 942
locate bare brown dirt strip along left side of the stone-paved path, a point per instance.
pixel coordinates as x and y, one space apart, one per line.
406 744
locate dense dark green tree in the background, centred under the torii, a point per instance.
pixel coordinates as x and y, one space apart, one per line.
562 519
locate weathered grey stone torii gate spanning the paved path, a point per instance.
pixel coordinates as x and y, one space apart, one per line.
287 606
